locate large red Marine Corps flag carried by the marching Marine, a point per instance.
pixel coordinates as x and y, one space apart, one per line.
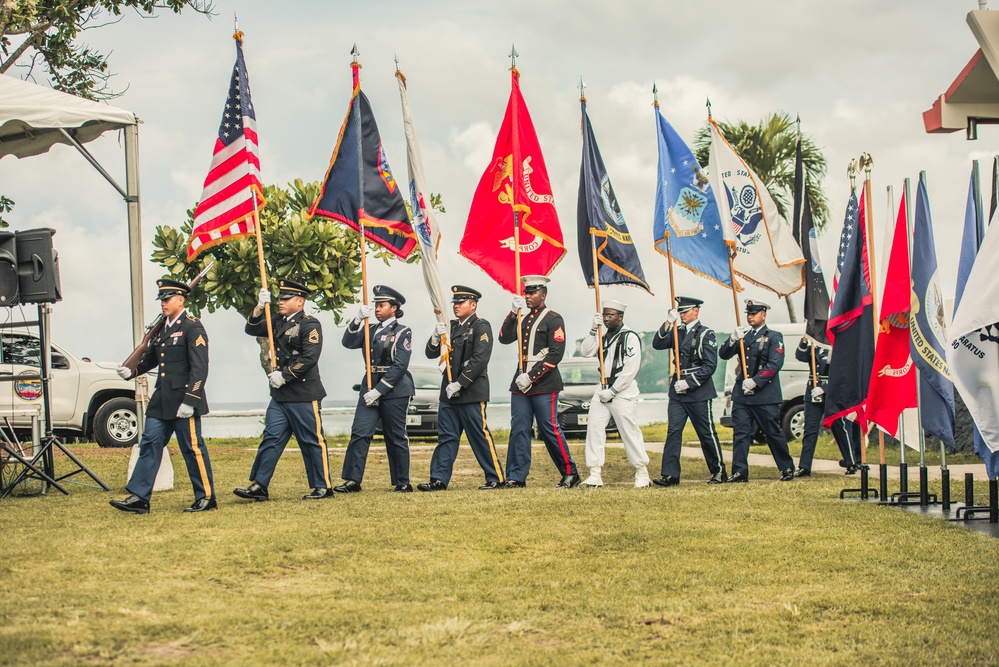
512 227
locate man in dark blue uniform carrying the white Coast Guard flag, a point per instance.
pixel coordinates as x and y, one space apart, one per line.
757 398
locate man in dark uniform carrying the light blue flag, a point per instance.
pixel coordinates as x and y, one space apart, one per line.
690 396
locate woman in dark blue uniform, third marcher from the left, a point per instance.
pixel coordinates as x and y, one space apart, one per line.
387 397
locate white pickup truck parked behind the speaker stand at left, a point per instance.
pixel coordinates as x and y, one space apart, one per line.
89 400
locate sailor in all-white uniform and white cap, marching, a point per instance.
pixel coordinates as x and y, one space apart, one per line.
618 398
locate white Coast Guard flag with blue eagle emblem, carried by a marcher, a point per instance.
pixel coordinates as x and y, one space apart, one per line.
766 254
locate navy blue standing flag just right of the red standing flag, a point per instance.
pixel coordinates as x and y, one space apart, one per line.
928 328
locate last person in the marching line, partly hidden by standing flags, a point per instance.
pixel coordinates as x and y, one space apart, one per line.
846 432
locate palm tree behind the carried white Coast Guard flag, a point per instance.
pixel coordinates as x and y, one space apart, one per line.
769 149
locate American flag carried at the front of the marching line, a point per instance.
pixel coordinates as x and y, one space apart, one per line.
226 209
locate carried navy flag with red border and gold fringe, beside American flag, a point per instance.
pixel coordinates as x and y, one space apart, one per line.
359 186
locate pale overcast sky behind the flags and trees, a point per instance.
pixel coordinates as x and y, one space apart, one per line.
859 73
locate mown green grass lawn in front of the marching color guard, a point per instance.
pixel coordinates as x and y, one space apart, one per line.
764 573
